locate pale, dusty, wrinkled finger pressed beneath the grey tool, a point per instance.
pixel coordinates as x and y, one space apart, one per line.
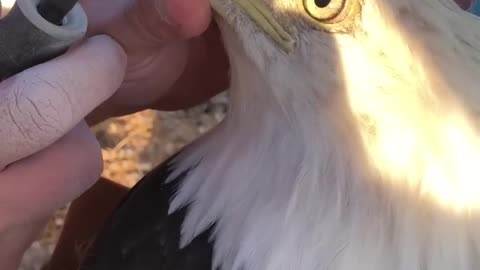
41 104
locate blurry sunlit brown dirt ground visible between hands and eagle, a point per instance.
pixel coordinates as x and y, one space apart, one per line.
133 145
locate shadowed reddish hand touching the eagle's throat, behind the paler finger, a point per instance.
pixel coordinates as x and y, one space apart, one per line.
175 56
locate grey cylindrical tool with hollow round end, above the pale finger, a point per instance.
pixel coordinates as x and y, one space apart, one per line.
27 39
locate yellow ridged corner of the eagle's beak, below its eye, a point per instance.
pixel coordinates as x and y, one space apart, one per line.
263 17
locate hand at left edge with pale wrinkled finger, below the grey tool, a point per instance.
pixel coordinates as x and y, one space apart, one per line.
48 155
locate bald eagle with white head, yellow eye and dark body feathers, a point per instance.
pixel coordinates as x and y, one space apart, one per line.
352 142
